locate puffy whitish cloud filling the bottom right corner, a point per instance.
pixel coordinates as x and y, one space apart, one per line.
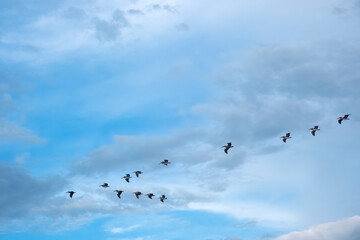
347 229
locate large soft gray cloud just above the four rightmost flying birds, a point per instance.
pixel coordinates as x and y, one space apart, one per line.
275 89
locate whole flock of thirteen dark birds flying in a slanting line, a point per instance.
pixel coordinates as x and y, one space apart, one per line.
166 162
